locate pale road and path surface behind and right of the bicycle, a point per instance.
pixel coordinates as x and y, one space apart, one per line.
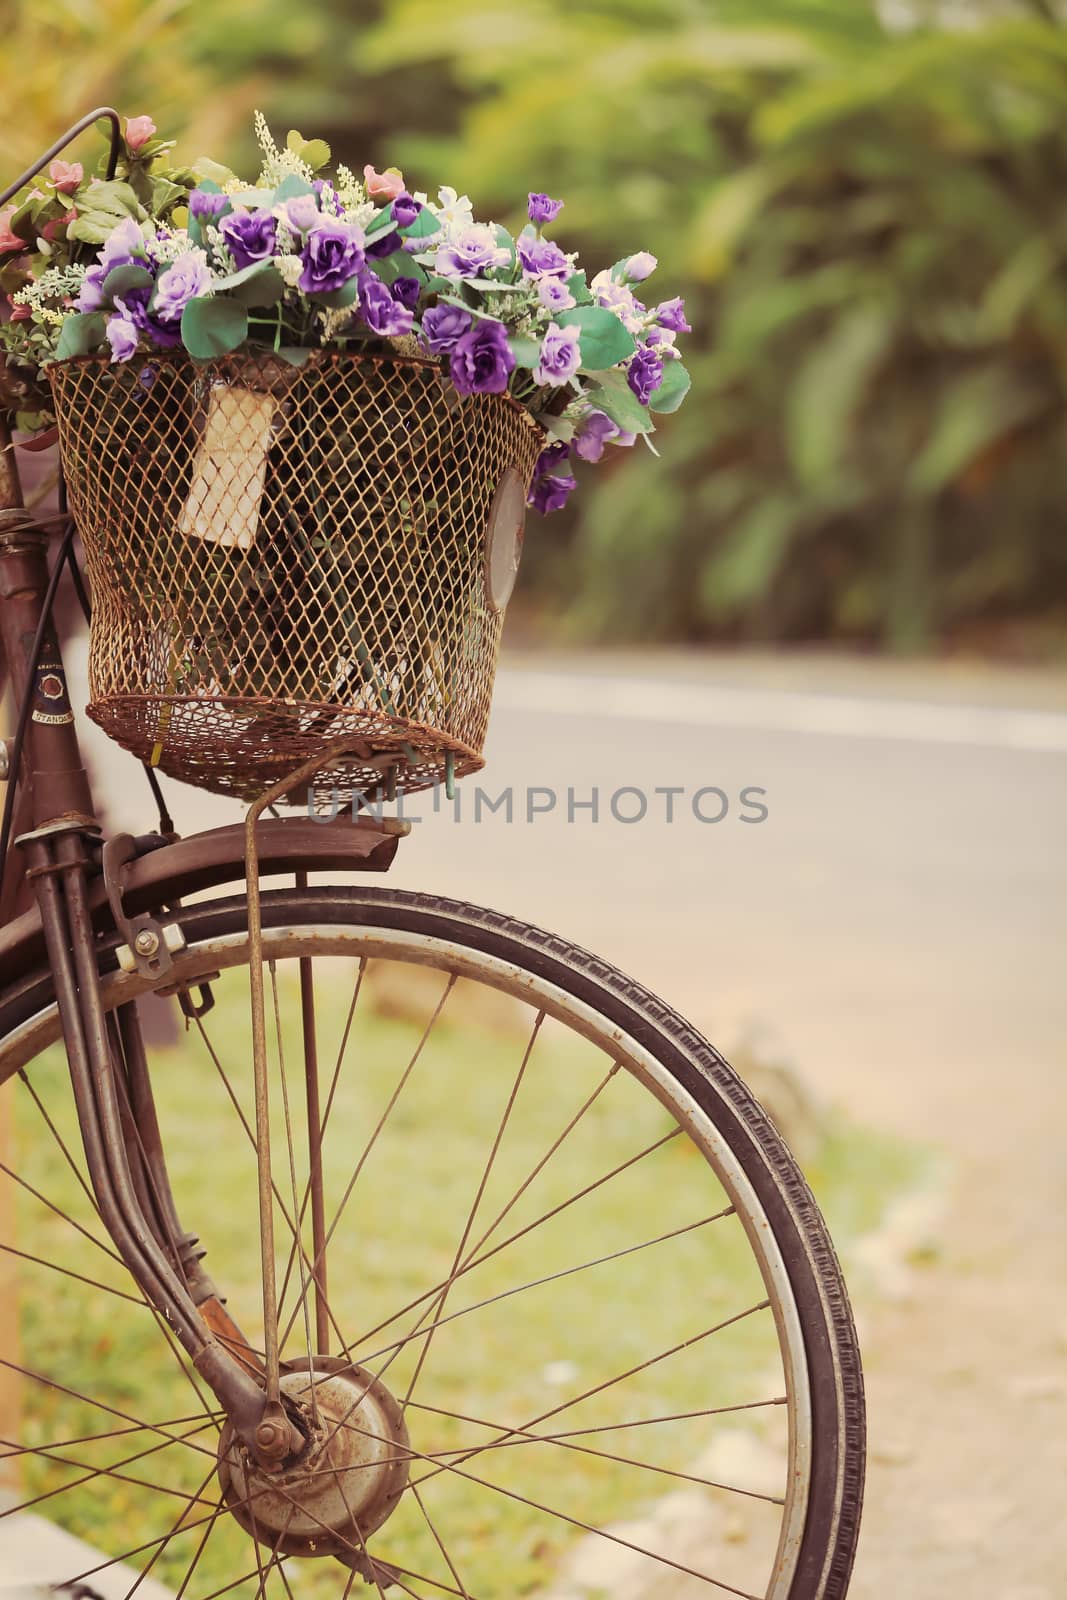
900 926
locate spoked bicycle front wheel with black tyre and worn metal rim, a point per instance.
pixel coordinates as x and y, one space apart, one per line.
554 1295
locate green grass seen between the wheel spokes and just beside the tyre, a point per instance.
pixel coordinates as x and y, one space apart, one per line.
508 1362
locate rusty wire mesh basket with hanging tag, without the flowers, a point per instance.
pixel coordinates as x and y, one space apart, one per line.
282 558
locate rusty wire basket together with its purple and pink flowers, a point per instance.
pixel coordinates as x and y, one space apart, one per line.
300 423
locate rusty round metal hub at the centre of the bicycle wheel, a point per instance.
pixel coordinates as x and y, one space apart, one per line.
345 1484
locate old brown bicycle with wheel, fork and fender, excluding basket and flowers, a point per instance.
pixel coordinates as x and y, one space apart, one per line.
705 1306
